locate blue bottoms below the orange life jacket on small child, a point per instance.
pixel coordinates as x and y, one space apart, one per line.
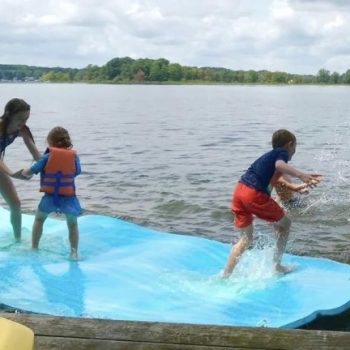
62 204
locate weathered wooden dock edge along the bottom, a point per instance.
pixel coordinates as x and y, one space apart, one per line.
66 333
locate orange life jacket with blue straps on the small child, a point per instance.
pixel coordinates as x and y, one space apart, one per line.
58 174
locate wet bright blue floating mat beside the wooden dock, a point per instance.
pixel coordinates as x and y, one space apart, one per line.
128 272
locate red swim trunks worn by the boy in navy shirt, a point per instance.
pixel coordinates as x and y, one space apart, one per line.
247 201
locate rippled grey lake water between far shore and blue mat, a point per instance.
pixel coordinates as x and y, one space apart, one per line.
167 157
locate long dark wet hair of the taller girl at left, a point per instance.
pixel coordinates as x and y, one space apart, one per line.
13 107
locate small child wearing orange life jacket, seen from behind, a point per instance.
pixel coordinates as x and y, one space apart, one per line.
58 167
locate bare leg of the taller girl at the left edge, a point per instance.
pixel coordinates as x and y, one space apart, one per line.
8 192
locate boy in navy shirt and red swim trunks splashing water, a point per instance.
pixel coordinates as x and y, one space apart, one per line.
252 197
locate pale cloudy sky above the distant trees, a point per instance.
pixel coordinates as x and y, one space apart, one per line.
294 36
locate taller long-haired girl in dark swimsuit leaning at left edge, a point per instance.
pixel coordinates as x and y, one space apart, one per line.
13 125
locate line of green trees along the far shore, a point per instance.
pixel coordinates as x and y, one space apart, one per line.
145 70
